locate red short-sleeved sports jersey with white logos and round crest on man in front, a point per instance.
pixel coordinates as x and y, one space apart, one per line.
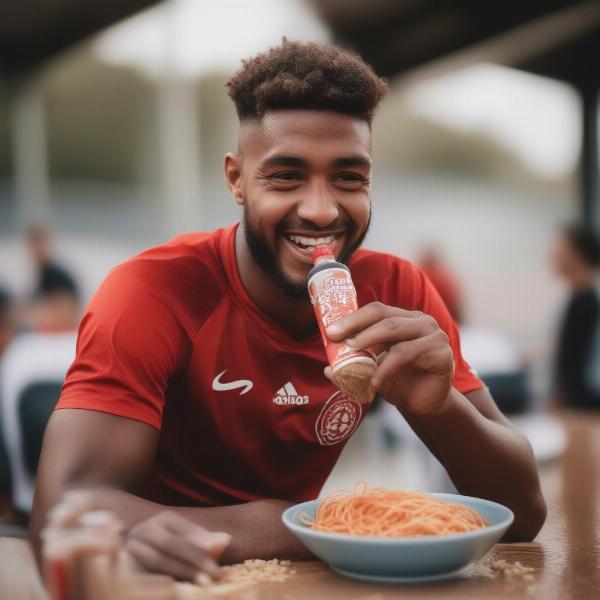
172 339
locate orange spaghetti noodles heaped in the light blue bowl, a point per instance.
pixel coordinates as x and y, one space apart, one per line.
388 513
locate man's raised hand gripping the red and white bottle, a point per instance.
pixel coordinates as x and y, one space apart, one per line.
416 372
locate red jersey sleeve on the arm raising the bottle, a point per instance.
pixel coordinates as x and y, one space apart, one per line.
424 297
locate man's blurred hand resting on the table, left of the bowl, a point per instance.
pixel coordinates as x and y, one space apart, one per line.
171 544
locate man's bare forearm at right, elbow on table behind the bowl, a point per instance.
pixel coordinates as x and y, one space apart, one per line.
485 458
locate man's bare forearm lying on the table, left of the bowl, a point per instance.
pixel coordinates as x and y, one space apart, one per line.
255 527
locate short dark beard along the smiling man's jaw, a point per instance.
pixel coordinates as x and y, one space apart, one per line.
266 260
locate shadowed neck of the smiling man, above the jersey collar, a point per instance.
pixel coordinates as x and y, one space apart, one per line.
294 316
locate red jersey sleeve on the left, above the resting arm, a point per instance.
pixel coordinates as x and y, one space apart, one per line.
128 346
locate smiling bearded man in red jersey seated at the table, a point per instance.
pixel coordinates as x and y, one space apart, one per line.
181 354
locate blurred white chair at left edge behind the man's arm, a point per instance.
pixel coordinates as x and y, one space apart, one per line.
31 358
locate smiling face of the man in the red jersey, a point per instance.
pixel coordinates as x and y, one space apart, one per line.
304 180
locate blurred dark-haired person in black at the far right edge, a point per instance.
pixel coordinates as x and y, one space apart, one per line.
576 259
